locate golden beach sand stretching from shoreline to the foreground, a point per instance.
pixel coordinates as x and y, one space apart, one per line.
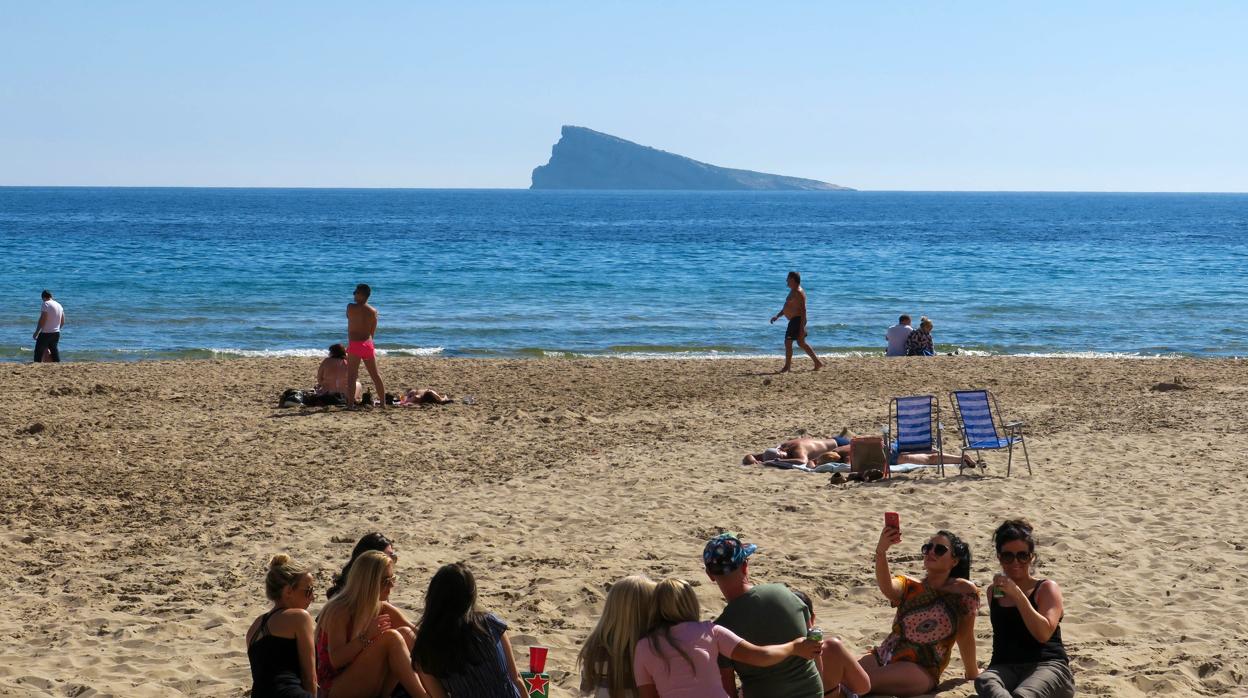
140 504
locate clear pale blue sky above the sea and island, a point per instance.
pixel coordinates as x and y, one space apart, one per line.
1099 97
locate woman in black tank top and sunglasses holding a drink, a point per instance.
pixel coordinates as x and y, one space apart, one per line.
1028 654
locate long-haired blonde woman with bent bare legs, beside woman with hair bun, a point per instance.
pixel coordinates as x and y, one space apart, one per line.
360 654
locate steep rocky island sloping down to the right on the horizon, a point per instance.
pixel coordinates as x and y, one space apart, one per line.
587 159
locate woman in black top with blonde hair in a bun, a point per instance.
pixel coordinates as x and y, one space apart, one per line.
280 645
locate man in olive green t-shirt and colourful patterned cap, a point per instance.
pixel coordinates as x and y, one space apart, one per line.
763 615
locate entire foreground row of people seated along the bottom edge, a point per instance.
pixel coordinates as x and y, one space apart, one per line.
651 641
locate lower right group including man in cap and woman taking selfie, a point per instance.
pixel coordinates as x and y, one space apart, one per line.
934 614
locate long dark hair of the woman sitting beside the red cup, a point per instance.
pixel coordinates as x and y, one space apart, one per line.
452 634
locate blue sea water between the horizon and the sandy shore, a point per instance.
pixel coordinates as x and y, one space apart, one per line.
202 273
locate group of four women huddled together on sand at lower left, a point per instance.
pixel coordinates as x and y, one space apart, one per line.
361 646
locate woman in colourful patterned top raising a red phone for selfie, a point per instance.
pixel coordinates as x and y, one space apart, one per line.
933 615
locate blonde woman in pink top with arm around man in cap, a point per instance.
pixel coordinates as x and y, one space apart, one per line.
680 657
